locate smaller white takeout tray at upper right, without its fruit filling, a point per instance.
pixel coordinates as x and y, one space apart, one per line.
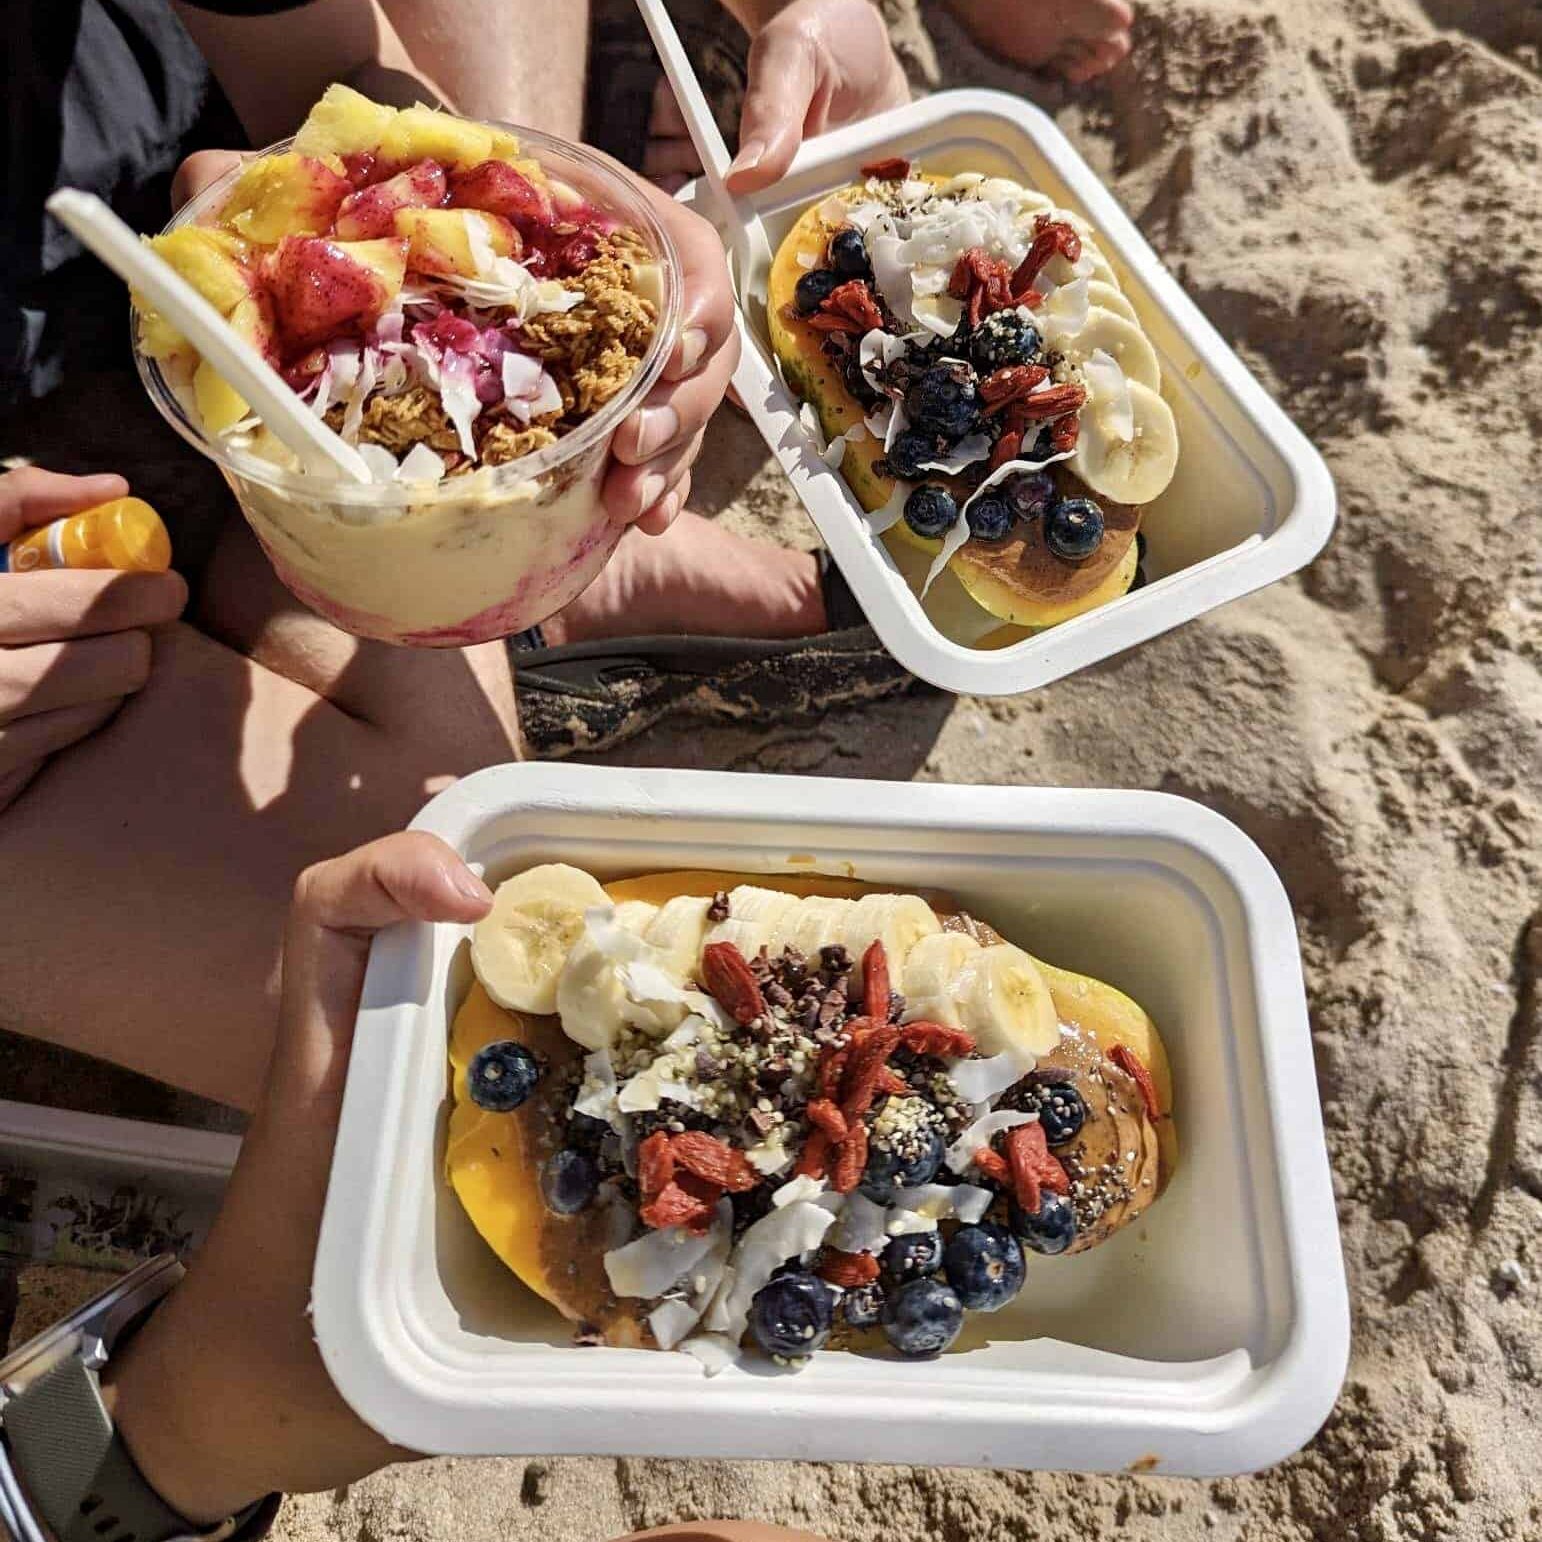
1250 503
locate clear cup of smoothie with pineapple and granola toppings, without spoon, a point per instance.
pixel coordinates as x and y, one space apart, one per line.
480 362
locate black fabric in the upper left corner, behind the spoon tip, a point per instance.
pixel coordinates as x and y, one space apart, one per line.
106 96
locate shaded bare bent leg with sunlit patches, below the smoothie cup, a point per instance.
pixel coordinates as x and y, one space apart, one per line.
149 869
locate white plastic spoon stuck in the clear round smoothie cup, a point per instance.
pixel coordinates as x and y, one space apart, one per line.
238 362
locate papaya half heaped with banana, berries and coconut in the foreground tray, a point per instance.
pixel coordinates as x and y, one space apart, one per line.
701 1113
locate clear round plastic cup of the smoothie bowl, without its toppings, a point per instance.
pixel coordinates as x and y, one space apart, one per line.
474 557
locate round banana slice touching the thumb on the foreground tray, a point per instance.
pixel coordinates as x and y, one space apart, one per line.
519 949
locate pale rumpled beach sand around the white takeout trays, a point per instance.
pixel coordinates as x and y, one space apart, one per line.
1350 192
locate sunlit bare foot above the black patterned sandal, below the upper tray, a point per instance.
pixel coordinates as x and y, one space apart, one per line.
698 581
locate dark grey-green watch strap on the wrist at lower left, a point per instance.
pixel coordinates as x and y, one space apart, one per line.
78 1473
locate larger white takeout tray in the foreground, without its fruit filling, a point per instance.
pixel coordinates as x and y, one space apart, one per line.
1208 1338
